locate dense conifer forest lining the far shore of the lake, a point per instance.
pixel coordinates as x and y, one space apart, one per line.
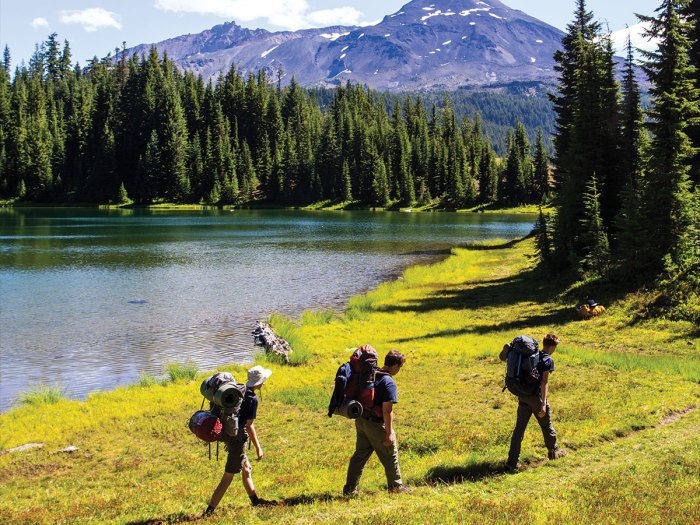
137 129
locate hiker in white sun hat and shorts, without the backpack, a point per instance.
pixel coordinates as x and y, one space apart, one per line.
237 459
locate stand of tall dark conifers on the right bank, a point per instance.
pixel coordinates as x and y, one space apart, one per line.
627 204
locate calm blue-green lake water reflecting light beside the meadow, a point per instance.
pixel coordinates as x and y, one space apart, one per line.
91 299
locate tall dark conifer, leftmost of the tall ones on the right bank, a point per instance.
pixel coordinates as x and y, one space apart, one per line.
587 135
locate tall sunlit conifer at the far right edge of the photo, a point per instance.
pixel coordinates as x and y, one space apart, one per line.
669 210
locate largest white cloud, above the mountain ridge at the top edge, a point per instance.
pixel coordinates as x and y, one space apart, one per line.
286 14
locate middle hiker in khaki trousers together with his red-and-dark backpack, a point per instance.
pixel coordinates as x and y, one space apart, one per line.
375 389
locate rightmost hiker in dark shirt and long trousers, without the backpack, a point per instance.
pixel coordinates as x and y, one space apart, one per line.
537 404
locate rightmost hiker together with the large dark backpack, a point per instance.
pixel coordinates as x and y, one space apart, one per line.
527 376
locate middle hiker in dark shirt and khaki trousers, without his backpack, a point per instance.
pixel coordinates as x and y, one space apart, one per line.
375 430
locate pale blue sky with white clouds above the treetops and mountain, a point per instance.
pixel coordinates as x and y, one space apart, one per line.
96 27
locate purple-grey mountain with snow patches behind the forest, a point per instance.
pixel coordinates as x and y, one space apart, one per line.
427 44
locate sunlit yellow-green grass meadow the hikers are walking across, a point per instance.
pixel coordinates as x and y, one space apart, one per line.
623 400
